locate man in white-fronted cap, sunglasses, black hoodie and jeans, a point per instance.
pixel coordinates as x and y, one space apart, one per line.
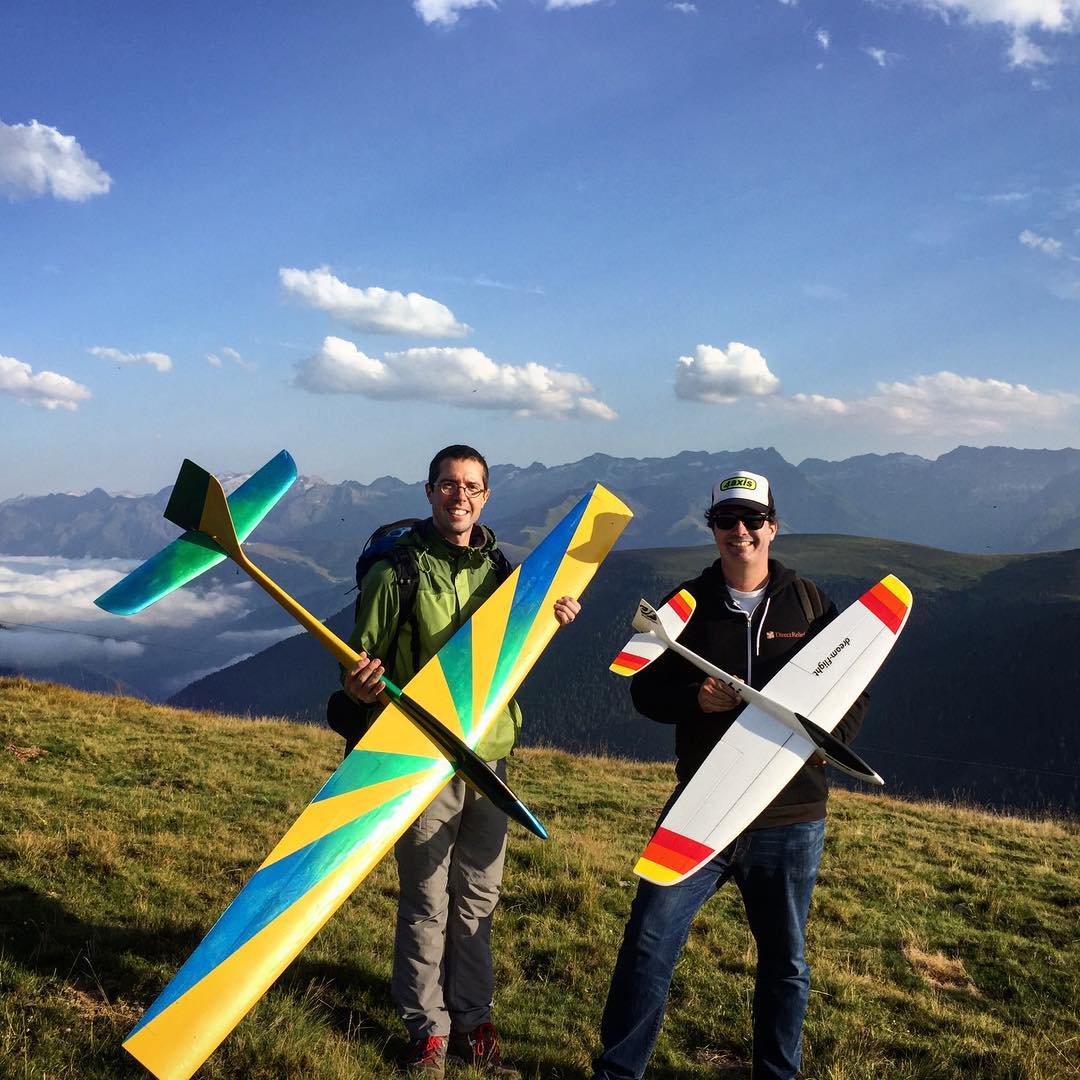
753 615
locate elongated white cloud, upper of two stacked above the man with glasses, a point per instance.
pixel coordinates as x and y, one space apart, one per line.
375 310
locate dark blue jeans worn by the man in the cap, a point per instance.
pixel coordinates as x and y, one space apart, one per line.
776 870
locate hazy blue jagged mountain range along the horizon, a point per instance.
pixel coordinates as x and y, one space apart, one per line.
995 499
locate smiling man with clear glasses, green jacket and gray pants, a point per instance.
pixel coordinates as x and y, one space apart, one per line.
450 862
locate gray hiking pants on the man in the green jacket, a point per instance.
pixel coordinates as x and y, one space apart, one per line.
450 869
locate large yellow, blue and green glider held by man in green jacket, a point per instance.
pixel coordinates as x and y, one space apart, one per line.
383 785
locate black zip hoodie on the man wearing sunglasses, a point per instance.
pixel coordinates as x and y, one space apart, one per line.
753 649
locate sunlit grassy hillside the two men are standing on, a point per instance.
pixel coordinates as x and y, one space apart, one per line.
943 941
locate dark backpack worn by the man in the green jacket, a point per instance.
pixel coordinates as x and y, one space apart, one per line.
344 715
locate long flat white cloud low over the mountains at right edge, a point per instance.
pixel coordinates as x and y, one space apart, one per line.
965 407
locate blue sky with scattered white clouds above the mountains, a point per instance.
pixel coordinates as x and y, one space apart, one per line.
545 227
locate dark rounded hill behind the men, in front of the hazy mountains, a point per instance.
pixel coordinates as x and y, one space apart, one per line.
978 701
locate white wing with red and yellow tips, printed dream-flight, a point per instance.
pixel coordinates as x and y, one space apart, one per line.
759 754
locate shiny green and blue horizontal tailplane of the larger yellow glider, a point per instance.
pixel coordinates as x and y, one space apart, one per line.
194 553
